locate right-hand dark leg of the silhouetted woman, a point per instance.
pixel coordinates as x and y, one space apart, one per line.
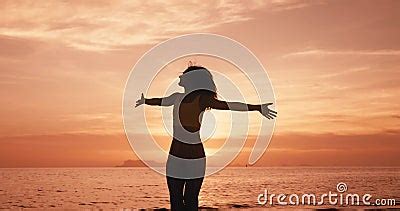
191 195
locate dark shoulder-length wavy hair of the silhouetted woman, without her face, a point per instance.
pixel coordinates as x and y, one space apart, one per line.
201 82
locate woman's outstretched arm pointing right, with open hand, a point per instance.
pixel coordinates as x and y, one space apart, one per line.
238 106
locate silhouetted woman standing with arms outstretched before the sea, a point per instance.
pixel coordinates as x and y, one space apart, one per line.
186 161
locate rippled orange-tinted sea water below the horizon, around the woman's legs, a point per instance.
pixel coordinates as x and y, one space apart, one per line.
133 188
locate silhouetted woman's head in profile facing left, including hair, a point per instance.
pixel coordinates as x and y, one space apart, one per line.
197 78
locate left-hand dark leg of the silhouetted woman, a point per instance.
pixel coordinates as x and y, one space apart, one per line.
175 187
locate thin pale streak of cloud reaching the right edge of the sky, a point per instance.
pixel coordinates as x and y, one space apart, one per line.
322 52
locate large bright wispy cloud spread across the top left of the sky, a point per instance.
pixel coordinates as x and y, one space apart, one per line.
104 25
